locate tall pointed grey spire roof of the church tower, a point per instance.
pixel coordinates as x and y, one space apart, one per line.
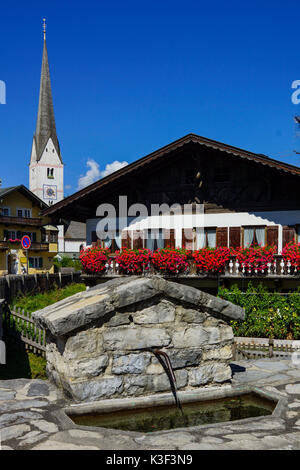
45 125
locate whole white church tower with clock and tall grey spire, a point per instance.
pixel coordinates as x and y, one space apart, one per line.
46 168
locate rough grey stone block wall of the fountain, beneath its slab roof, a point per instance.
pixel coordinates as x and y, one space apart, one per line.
105 361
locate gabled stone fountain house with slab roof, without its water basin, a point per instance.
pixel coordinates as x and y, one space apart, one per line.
94 338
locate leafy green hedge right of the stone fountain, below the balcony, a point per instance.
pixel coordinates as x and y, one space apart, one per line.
268 314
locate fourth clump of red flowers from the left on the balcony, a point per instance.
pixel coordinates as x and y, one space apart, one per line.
211 260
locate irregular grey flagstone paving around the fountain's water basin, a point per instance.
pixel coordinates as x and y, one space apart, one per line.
32 417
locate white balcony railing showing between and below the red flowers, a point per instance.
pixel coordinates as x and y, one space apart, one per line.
233 269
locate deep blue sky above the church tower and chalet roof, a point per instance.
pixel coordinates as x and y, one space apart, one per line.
130 77
